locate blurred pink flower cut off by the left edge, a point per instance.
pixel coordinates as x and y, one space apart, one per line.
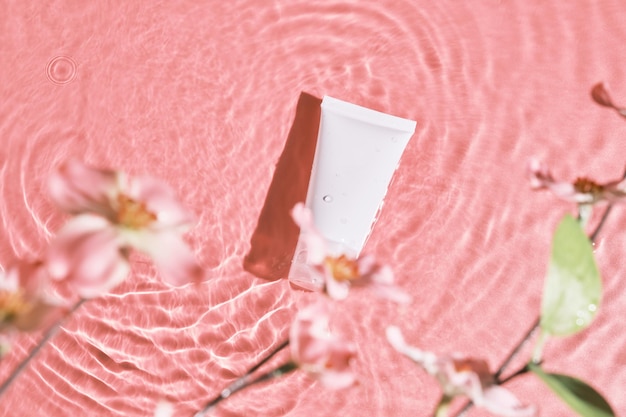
24 305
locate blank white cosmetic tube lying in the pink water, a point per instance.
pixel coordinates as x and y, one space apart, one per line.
357 153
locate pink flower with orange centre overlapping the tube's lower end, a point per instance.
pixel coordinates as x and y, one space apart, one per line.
342 272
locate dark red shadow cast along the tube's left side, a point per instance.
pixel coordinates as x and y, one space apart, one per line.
274 240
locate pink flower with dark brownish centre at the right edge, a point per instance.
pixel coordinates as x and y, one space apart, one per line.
581 191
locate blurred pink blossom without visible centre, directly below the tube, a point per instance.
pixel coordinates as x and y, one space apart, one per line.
315 350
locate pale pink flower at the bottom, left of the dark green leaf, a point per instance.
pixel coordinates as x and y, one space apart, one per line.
463 377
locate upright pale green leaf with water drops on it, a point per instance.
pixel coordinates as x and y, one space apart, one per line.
573 286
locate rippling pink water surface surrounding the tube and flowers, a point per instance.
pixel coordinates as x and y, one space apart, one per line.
203 95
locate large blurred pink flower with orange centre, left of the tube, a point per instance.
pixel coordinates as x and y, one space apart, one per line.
112 215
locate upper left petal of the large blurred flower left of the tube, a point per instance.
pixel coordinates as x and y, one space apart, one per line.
77 188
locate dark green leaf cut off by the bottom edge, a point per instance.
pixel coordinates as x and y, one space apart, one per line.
583 399
